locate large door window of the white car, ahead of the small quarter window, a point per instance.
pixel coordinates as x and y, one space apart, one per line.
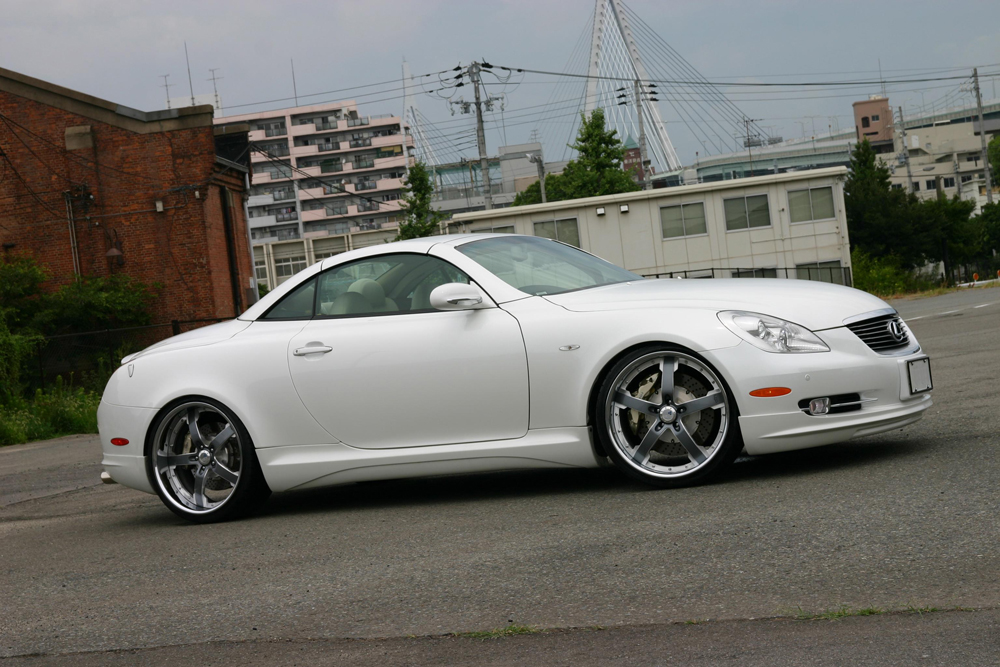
388 284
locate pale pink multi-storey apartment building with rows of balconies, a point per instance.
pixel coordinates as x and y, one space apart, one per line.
326 179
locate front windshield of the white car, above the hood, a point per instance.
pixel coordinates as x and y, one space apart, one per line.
541 266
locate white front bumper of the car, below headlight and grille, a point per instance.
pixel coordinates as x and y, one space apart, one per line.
778 424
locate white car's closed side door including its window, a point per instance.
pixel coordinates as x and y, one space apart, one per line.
379 368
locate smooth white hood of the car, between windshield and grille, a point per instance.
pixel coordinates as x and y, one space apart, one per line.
812 304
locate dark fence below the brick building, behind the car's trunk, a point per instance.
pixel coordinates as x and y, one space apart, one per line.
98 353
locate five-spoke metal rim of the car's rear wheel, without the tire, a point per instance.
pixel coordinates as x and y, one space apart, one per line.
198 457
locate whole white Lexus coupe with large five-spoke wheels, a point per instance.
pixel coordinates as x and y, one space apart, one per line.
483 352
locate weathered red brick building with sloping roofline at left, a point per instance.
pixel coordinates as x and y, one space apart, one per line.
90 187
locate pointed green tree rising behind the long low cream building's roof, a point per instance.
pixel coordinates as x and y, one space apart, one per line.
596 171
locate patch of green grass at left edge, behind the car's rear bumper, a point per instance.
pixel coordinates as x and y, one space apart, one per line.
57 411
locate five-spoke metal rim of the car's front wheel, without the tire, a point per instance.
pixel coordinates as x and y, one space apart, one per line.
667 414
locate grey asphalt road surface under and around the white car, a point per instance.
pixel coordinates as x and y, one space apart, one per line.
379 573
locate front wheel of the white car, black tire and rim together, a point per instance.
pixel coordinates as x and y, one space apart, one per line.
681 439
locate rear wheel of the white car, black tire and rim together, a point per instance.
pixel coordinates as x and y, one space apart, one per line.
202 463
